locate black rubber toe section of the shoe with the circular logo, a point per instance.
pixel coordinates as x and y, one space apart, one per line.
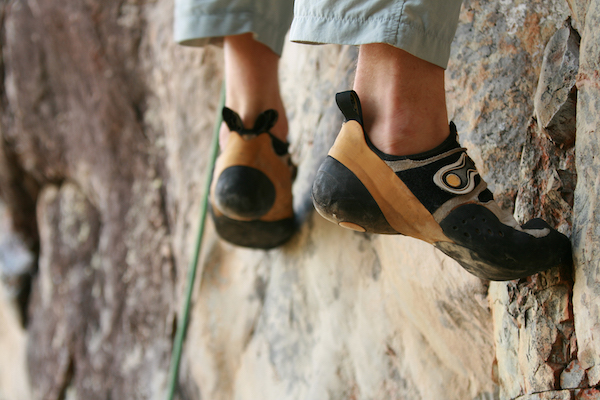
491 250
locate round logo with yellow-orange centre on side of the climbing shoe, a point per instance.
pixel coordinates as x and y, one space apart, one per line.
458 177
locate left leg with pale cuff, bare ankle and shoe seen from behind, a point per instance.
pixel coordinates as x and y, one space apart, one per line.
250 198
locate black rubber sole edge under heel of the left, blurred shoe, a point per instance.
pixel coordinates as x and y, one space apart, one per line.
254 234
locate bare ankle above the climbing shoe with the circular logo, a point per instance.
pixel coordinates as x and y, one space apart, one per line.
403 100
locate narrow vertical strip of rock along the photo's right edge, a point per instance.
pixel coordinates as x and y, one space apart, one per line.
586 212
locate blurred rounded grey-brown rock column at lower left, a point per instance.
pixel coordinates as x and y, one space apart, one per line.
64 216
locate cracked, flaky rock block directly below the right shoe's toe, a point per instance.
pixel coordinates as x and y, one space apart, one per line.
533 329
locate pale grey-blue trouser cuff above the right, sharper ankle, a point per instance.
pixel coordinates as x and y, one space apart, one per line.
424 28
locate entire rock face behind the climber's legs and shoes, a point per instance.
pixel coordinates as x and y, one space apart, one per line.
105 124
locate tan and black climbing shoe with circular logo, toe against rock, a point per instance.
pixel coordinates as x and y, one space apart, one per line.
437 196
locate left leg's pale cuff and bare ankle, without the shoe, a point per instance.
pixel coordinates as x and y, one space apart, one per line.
252 33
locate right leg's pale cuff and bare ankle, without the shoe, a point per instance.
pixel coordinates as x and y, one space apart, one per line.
404 49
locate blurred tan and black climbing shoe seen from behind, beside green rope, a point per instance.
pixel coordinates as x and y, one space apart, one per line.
251 190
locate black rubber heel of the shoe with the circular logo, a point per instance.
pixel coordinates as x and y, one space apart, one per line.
340 197
